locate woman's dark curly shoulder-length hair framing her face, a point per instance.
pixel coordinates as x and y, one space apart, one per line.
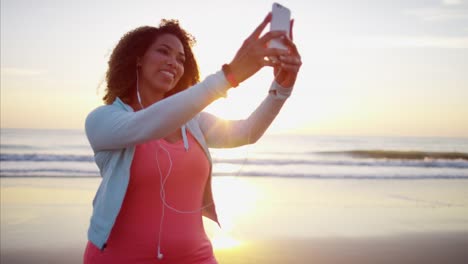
121 73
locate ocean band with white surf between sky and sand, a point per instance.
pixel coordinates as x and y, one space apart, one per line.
66 153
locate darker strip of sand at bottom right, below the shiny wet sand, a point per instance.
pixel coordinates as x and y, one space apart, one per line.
409 248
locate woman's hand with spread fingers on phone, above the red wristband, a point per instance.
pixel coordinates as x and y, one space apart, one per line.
254 52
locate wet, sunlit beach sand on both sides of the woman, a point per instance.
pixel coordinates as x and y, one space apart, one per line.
272 220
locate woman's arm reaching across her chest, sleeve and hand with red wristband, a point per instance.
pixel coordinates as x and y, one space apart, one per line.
114 127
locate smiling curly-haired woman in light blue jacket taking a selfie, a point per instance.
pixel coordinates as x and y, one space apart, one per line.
151 141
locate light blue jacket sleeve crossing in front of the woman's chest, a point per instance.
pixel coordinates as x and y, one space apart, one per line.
112 127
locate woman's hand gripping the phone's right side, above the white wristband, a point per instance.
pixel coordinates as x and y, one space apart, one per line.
288 66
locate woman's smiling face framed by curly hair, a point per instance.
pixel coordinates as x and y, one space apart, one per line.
161 67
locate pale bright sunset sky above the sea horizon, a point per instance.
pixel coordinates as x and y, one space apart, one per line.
370 67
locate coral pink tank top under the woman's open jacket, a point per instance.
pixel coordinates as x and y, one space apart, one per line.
135 235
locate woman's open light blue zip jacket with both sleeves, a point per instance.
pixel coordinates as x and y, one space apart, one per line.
114 130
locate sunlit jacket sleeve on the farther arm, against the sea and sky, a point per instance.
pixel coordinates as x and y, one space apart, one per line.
220 133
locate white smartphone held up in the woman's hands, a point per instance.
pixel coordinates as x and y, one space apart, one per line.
280 20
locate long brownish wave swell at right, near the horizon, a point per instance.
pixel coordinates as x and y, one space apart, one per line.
401 155
